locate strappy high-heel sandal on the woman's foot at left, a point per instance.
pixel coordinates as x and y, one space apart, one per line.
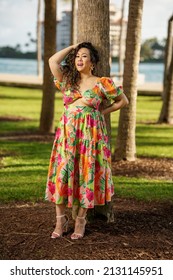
61 226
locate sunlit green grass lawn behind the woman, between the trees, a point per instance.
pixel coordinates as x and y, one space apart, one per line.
24 164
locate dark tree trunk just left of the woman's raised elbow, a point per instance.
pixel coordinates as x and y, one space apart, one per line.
47 110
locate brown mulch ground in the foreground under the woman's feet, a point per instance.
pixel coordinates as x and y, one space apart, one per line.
141 231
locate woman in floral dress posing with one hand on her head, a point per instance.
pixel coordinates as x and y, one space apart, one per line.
79 172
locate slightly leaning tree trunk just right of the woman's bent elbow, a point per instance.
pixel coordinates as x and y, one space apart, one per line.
126 144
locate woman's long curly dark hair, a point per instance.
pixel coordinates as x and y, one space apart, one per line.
70 74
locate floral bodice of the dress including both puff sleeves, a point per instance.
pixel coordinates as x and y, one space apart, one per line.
104 88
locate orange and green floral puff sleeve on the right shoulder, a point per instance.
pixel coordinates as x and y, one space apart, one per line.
109 90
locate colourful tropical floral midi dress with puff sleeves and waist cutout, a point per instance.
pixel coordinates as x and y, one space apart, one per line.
80 164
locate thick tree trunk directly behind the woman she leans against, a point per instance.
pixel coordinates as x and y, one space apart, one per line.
93 26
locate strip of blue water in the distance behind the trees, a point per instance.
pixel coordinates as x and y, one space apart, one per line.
153 71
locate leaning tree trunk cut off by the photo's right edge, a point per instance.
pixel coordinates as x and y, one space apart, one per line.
166 114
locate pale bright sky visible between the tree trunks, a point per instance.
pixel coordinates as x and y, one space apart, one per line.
17 18
